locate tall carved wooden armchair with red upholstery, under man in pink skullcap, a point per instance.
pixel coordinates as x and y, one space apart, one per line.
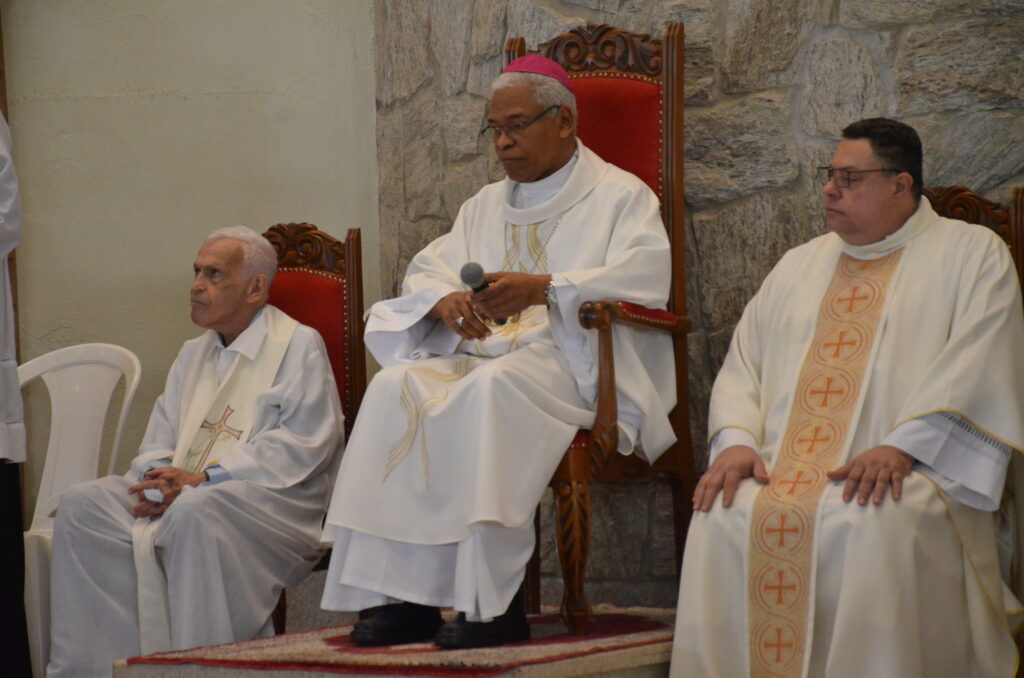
629 92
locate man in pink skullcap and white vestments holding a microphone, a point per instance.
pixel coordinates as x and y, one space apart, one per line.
459 435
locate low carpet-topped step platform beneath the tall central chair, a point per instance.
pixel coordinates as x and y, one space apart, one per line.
620 643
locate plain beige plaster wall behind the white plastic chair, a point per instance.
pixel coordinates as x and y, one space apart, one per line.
141 125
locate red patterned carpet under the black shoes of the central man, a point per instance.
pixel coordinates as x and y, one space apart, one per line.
329 651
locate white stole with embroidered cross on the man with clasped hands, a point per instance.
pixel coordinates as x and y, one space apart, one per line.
216 415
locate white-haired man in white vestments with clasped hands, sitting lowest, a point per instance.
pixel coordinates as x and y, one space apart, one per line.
223 508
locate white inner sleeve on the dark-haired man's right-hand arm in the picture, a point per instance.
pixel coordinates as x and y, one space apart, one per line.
967 464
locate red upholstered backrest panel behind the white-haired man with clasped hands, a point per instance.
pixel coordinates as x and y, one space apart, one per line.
317 299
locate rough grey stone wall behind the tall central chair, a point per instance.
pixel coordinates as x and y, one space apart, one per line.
770 87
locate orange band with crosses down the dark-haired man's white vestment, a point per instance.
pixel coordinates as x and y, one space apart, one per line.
826 400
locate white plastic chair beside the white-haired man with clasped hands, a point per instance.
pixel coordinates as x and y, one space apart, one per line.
81 382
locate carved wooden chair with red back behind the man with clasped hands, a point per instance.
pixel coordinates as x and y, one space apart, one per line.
320 284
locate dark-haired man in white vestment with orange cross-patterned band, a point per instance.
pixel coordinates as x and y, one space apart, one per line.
873 391
